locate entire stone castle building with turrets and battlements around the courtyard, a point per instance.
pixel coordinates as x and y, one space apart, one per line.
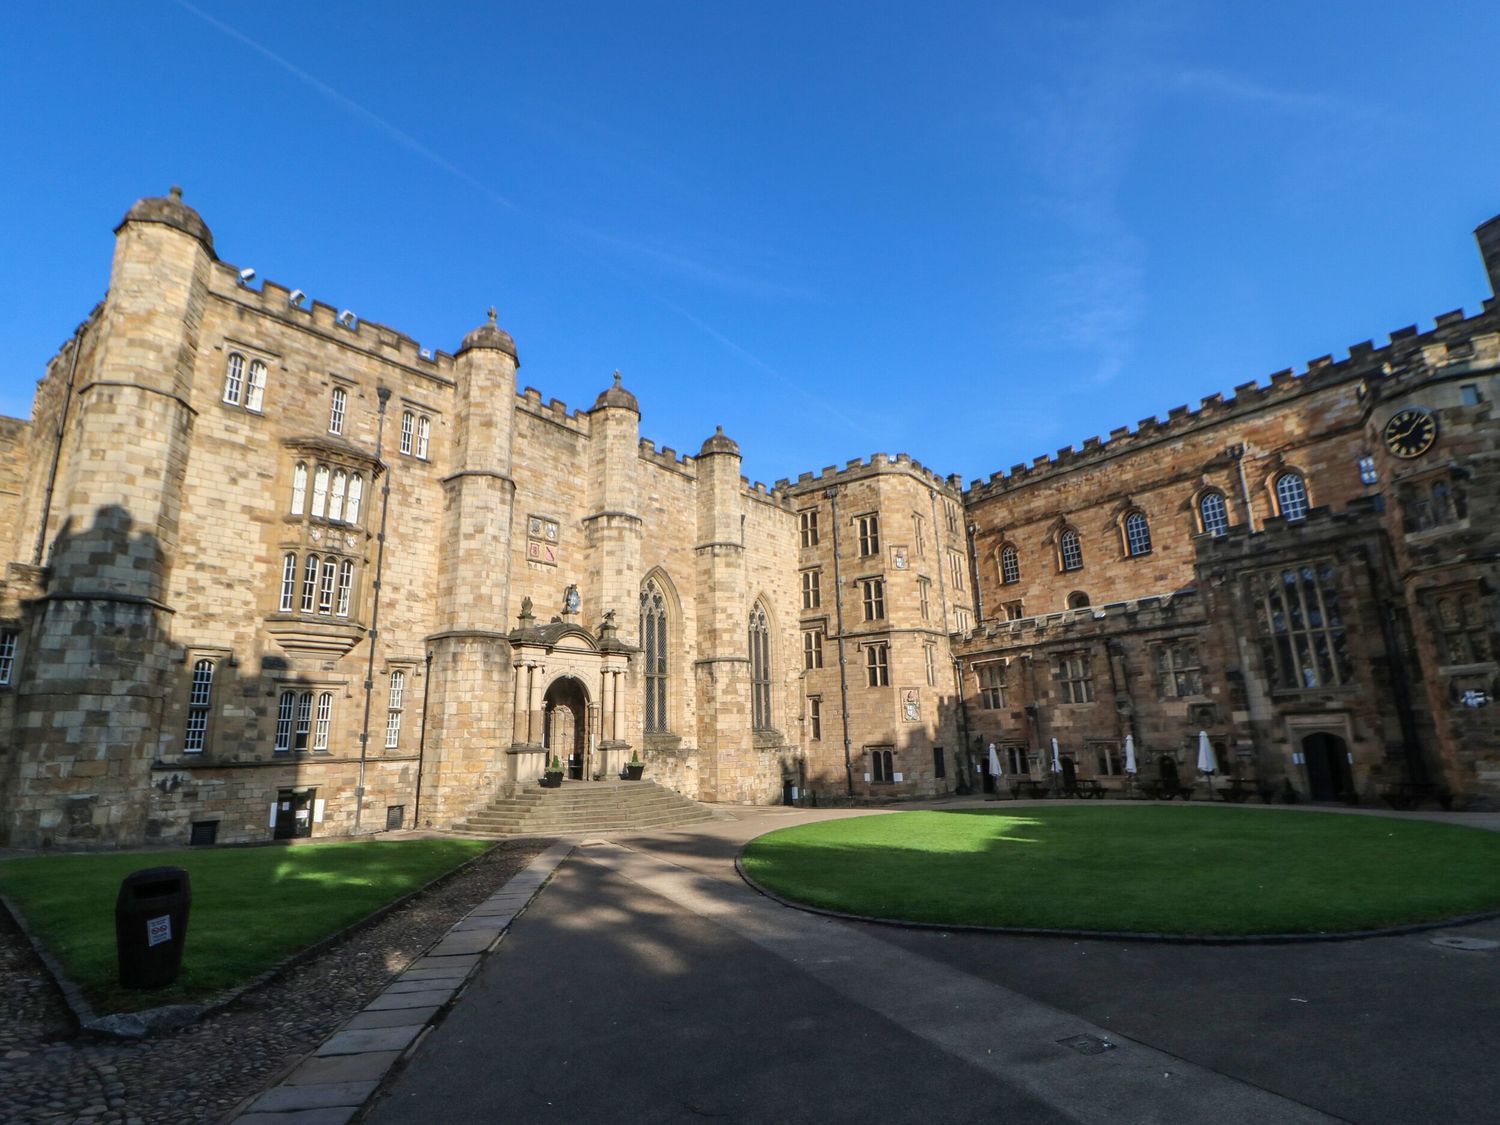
280 572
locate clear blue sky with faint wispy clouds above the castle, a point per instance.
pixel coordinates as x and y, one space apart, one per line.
974 233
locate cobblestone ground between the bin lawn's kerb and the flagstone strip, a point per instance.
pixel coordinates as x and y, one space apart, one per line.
49 1073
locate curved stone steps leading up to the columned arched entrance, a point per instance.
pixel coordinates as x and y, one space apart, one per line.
584 808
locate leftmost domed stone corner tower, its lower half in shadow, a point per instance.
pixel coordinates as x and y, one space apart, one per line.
101 655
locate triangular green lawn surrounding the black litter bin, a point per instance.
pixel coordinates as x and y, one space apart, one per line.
251 907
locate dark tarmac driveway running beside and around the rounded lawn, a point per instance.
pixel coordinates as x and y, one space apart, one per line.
647 983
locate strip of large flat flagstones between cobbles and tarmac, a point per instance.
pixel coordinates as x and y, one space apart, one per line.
334 1082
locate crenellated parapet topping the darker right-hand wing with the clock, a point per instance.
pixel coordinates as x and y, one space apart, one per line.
1409 355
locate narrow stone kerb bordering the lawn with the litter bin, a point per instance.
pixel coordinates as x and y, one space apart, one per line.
170 1018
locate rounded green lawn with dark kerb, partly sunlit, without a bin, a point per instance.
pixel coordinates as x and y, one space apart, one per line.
1183 871
